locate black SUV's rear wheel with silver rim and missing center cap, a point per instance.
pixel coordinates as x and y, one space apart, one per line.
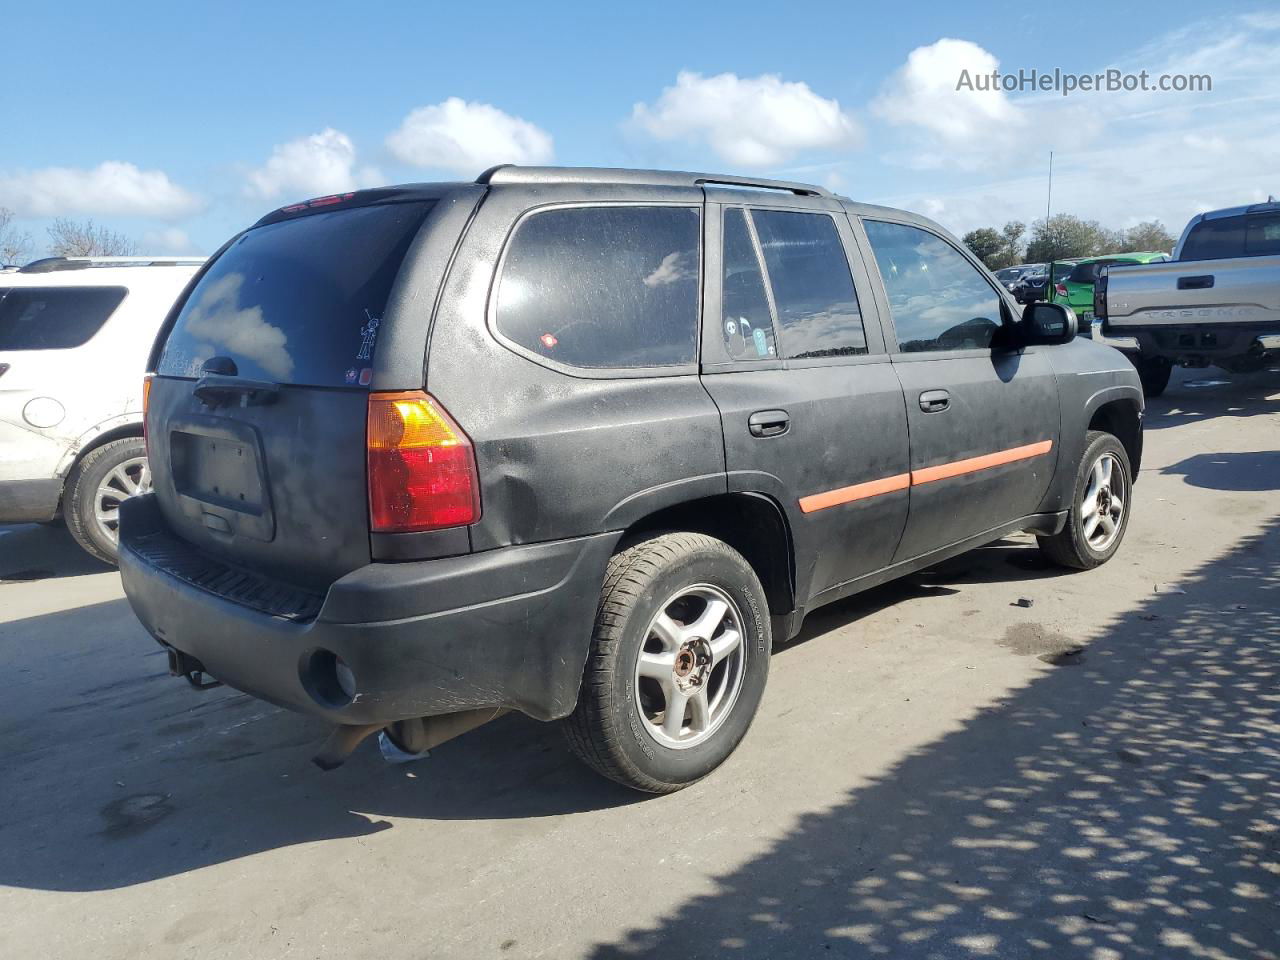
678 665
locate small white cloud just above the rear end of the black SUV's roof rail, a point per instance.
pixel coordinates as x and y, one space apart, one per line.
468 138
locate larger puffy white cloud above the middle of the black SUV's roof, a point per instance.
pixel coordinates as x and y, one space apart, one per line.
748 121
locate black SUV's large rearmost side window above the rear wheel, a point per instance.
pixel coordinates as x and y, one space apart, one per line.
604 287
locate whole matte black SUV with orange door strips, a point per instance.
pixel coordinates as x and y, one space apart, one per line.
586 444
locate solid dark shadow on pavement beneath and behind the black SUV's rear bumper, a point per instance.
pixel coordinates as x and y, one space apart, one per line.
115 774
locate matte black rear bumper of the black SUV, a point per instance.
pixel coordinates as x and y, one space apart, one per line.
506 628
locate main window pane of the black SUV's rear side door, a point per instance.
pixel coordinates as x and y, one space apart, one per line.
813 290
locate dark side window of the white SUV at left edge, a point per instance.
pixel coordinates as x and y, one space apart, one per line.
54 318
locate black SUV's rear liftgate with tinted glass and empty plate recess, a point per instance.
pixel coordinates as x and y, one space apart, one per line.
266 467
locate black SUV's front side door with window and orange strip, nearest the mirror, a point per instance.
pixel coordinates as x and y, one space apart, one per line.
985 420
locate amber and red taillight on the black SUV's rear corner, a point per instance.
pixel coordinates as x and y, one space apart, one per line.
422 468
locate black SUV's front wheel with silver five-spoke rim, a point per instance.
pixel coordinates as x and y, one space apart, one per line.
1100 508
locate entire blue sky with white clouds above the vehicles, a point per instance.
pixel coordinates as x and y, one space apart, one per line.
180 125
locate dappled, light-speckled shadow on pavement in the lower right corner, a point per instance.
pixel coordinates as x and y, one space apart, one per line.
1126 804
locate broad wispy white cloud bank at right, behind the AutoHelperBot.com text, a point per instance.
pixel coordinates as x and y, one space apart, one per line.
1139 156
